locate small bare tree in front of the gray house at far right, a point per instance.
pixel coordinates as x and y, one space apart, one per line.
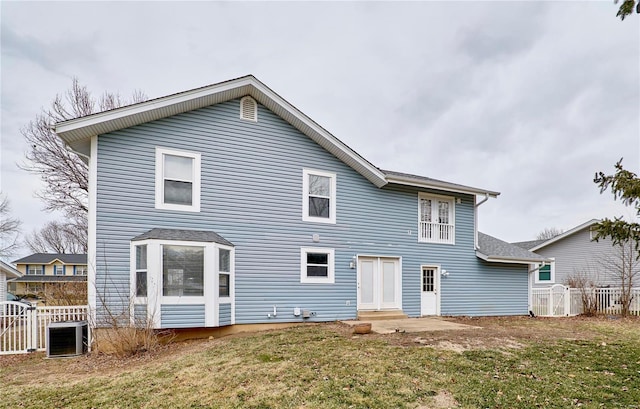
624 267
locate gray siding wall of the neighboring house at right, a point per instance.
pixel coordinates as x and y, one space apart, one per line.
578 255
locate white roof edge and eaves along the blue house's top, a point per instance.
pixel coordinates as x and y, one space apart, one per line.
77 132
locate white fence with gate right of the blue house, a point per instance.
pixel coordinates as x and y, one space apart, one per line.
561 301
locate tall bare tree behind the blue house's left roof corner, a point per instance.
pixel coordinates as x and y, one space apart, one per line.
65 174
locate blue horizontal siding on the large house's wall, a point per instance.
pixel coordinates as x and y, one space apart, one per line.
252 196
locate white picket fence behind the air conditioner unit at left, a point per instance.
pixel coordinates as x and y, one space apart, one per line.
24 328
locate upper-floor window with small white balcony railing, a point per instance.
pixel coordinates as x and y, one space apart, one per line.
436 219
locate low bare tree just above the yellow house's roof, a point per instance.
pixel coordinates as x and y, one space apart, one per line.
57 237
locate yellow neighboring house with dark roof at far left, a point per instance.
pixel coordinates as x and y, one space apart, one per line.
41 269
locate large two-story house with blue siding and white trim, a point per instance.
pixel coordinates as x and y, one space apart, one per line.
227 205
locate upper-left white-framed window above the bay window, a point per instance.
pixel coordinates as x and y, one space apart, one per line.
177 180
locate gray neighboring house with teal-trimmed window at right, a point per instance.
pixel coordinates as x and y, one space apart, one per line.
574 253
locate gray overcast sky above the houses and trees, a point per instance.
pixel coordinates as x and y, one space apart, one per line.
526 98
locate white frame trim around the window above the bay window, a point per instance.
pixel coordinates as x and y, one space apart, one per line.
159 182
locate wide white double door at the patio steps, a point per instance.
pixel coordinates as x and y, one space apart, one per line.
379 283
